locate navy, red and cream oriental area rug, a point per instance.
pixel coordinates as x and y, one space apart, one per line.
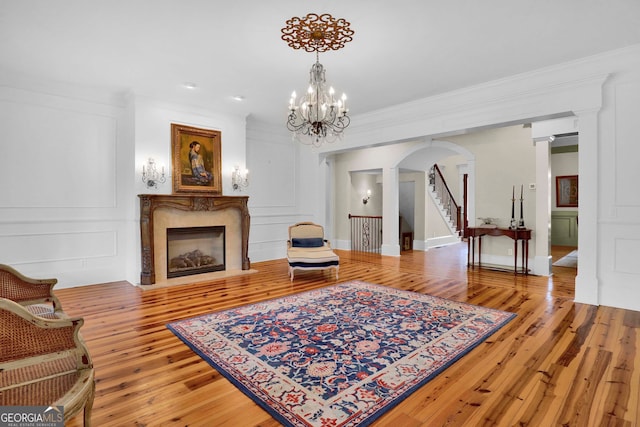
341 355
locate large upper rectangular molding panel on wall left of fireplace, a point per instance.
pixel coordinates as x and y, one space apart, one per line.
59 157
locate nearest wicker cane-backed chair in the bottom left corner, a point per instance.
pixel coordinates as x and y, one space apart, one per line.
44 362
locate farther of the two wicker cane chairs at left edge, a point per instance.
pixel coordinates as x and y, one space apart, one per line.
36 295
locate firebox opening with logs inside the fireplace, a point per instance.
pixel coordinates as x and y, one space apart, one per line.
195 250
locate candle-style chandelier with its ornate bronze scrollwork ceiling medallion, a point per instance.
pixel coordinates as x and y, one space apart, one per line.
317 116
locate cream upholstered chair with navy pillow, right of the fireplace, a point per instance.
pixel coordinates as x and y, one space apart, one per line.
307 249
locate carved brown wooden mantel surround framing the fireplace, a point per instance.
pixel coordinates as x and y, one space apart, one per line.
186 203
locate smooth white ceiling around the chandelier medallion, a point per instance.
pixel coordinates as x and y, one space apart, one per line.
402 50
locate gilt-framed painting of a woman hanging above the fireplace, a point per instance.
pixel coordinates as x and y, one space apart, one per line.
197 158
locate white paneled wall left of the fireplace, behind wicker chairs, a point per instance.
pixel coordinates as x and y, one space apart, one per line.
66 205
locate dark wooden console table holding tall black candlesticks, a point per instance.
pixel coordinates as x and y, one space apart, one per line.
520 234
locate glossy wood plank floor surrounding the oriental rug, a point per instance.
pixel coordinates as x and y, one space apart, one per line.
557 363
